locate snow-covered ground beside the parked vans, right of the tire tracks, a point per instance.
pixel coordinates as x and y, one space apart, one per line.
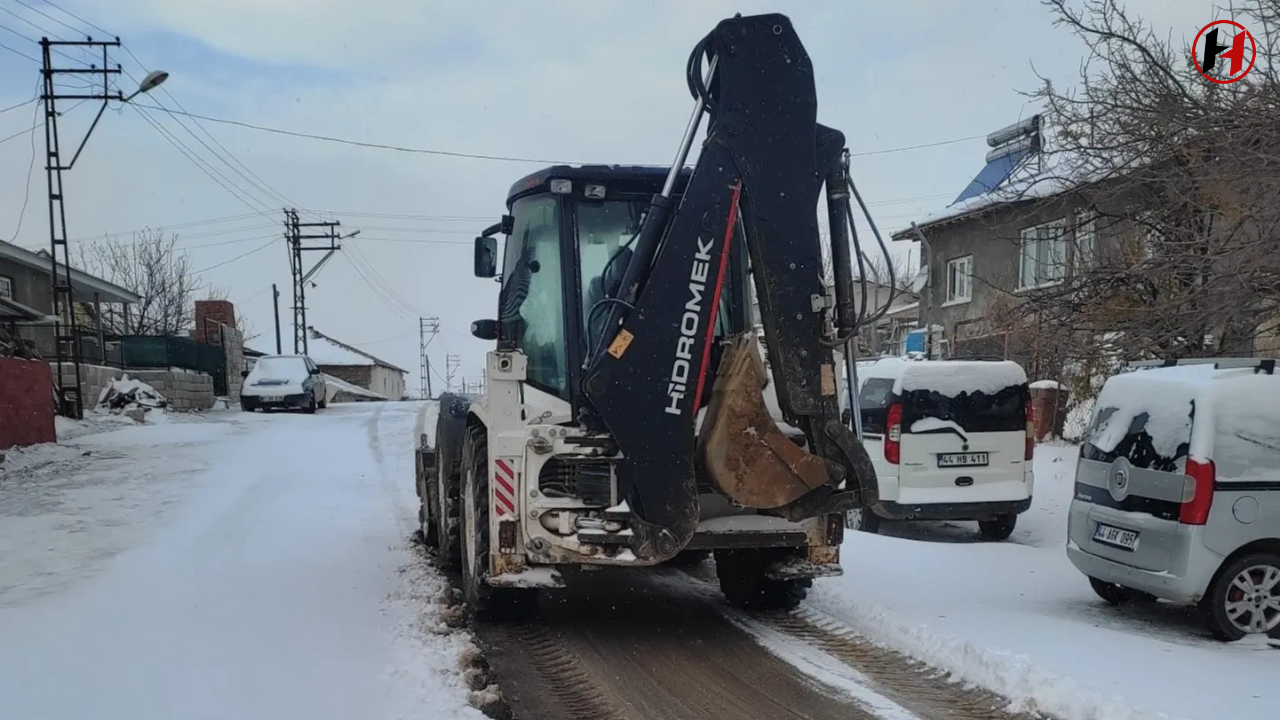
1020 619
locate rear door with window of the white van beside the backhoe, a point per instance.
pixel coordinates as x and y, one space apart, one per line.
964 448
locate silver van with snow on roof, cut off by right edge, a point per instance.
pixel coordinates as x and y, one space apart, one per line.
1178 493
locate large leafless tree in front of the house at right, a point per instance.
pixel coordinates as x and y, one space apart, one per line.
1172 185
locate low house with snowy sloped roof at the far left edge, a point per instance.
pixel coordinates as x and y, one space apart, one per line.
28 300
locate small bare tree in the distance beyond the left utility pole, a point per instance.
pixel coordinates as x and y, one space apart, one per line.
152 267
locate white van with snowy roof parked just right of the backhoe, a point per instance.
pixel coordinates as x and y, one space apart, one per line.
950 440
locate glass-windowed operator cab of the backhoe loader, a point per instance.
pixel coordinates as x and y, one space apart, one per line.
569 234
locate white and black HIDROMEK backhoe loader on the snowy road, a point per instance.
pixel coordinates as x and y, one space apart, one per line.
666 375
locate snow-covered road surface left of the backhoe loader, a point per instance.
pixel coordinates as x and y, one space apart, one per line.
227 566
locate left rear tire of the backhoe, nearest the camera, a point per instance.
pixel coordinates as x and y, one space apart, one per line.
486 603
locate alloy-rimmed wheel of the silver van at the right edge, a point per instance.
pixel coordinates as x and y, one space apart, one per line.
1245 598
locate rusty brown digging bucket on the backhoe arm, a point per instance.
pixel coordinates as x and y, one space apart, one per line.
746 454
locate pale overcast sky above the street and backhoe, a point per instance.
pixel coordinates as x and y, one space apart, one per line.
559 80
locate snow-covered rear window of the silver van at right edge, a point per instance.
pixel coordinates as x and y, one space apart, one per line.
1149 443
